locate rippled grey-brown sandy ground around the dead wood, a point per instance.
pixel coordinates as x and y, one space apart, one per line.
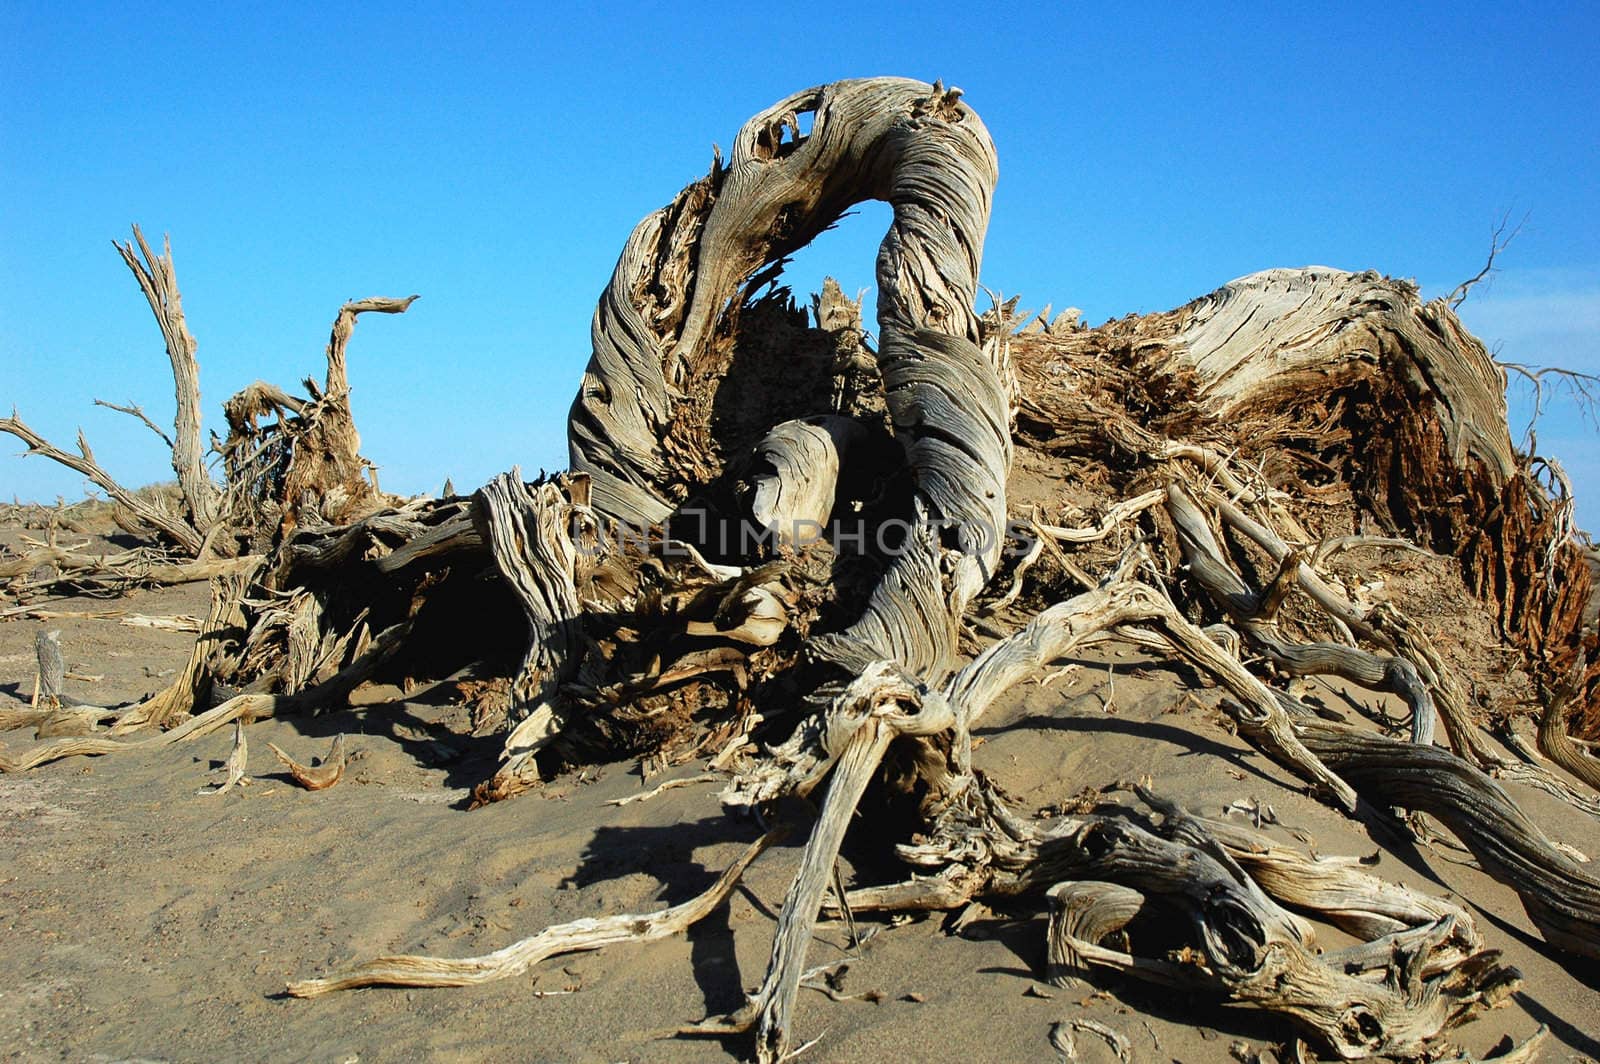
142 921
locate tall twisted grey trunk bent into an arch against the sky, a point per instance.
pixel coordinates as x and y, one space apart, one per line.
882 138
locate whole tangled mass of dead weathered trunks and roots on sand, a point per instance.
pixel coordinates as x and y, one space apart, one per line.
815 561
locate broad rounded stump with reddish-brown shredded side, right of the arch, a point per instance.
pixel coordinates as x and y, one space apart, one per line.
1289 366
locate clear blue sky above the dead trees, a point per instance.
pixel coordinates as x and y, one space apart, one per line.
494 159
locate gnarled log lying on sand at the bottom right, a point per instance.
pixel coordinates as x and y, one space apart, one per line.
1244 945
